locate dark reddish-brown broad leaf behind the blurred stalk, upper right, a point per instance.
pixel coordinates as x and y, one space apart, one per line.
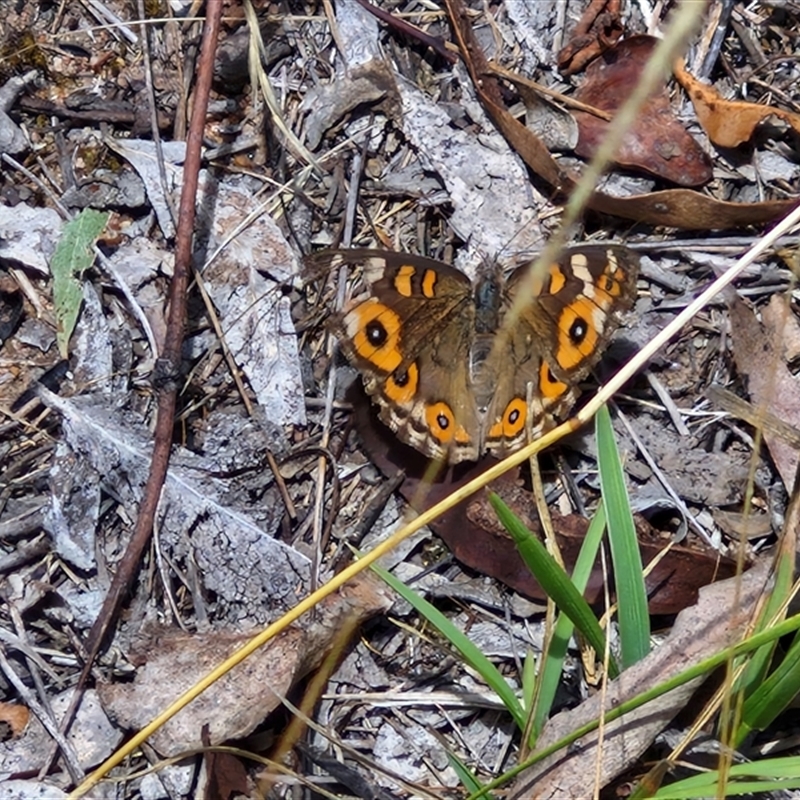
657 143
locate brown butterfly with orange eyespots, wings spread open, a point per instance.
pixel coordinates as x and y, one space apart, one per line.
458 368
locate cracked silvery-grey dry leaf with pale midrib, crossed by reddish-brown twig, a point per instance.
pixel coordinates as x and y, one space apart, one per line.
251 575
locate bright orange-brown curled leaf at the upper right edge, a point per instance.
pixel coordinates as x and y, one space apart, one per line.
728 123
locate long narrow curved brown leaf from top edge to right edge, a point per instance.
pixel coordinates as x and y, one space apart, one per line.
677 208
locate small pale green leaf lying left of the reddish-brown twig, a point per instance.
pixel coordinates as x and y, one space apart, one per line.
73 255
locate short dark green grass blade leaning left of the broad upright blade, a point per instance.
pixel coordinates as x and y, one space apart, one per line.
553 579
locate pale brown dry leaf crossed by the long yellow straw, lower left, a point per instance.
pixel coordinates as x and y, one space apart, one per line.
240 700
